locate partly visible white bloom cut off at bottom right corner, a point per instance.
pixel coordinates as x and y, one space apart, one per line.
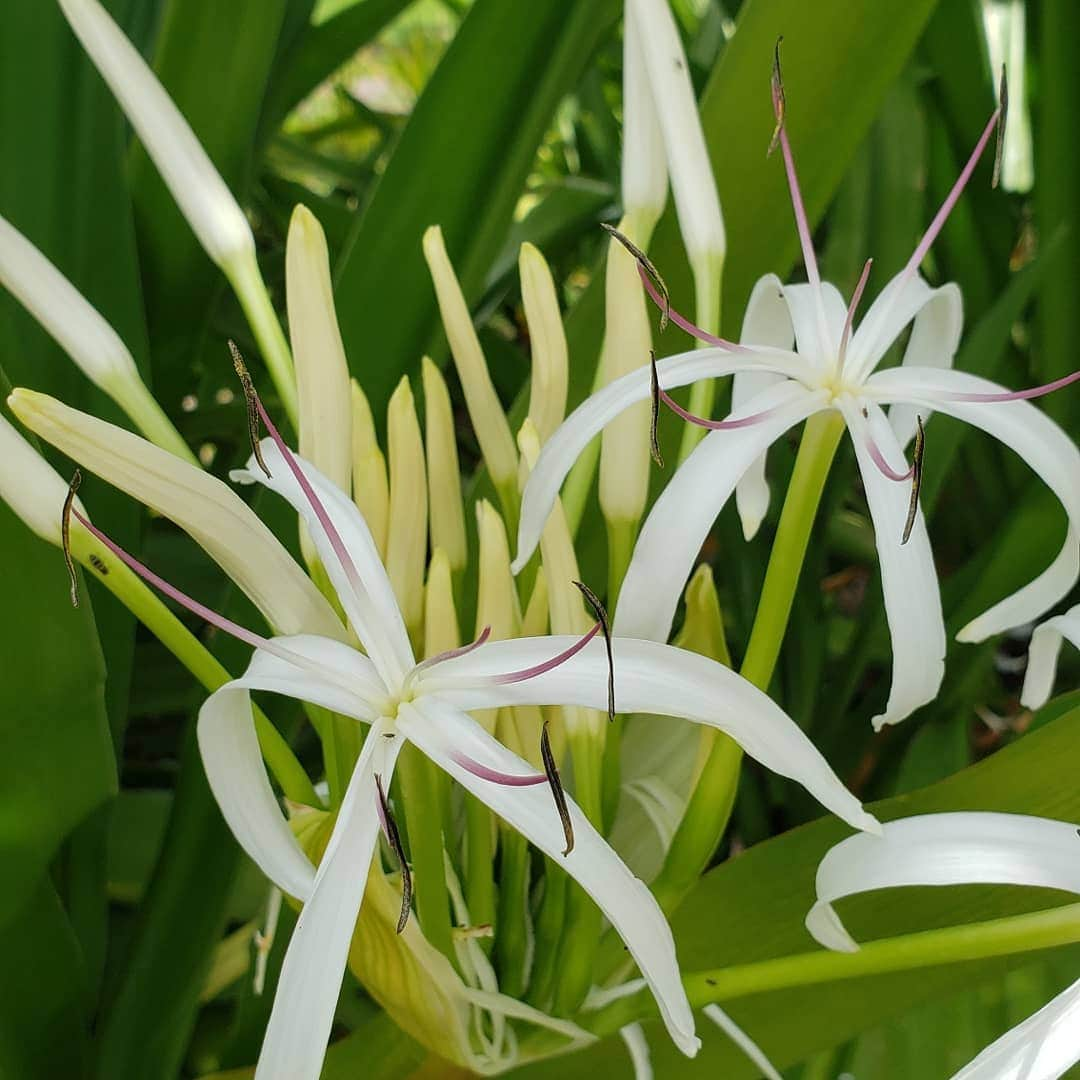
967 848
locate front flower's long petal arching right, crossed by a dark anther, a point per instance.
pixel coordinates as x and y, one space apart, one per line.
654 679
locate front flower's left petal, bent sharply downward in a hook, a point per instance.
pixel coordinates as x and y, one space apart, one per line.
231 750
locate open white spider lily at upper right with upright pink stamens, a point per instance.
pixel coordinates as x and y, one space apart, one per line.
833 368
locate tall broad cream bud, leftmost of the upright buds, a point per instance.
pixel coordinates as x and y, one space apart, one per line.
322 372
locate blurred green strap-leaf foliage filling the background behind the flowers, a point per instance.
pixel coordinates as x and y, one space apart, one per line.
501 121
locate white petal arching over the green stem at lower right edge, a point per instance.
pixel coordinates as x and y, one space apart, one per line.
967 848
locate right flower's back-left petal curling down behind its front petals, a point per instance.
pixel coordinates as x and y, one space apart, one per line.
767 322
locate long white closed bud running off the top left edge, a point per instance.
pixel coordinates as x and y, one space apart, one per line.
191 175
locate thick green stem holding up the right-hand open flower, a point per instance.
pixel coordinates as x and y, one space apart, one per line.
710 807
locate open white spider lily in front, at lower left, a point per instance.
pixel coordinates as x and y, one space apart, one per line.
428 704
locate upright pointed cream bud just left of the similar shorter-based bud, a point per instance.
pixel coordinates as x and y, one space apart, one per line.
408 531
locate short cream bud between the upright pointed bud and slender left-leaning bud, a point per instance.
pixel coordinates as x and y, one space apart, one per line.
448 511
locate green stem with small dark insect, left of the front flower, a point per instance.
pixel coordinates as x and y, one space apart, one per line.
127 587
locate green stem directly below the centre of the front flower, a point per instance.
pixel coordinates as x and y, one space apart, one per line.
423 807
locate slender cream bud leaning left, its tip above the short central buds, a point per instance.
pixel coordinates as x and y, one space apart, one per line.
490 422
